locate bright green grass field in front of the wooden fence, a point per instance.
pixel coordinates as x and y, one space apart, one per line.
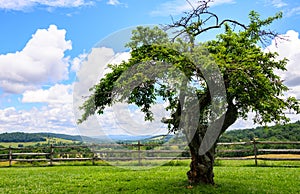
230 177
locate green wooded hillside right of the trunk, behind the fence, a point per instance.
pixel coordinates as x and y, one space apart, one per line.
287 132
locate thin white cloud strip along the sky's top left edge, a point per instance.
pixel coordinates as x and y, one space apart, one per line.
26 4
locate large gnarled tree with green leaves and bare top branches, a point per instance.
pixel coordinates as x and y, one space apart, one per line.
220 81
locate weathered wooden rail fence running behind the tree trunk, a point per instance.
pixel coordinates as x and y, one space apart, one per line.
140 152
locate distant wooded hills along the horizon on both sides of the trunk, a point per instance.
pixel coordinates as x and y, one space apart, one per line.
288 132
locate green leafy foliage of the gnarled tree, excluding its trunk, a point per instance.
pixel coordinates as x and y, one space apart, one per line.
248 74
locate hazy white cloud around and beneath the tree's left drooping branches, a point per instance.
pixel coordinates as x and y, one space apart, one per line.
120 118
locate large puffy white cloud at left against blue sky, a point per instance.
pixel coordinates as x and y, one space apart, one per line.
41 61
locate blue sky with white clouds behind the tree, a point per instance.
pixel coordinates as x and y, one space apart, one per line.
52 49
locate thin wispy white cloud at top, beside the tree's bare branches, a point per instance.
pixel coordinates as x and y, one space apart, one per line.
177 7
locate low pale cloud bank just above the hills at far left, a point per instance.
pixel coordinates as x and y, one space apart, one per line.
55 118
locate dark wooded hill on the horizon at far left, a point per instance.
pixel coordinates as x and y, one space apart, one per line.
21 137
